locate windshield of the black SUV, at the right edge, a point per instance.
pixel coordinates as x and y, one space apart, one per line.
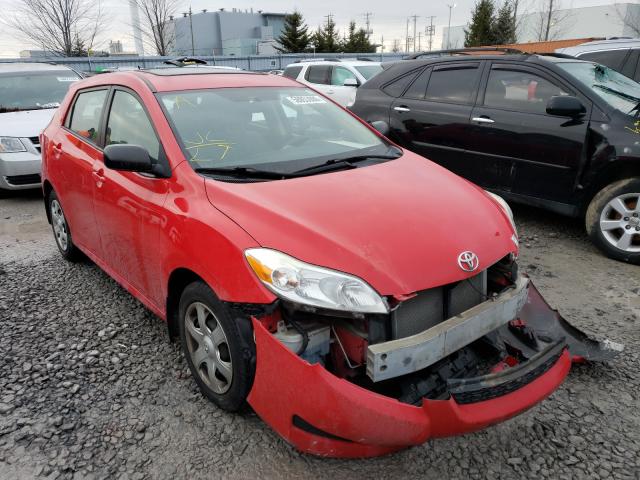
619 91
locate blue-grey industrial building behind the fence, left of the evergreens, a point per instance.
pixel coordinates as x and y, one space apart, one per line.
235 32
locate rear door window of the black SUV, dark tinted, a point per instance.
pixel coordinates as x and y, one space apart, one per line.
453 84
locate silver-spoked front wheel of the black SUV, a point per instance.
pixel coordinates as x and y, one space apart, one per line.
613 220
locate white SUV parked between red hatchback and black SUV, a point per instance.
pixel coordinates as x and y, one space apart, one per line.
337 79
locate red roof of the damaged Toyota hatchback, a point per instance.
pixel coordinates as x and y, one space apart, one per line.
188 78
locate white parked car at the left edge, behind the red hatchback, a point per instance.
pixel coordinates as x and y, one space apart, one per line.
29 95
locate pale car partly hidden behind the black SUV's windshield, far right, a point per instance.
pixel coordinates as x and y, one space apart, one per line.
621 54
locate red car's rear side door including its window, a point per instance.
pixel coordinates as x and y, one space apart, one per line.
75 149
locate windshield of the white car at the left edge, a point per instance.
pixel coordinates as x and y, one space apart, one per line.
34 90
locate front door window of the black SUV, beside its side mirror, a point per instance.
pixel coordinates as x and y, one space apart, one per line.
519 90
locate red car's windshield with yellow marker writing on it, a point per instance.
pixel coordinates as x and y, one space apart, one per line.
290 127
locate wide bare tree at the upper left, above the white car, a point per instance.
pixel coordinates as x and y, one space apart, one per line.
63 27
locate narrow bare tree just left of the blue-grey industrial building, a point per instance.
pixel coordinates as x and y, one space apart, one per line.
156 24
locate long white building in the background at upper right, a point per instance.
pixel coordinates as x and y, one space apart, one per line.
583 22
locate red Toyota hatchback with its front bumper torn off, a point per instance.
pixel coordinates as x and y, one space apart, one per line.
359 297
